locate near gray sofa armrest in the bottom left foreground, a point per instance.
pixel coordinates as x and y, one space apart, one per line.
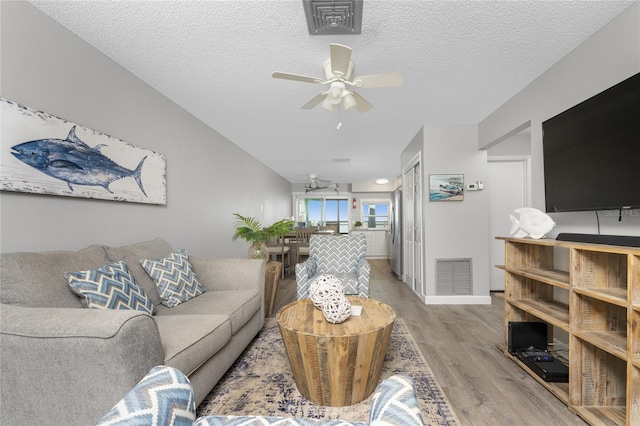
70 365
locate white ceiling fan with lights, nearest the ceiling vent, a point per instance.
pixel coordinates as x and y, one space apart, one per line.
337 70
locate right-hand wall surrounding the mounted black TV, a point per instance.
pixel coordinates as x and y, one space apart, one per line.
606 58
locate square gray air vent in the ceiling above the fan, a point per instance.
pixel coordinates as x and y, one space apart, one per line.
326 17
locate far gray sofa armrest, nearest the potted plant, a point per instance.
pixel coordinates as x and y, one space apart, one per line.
229 274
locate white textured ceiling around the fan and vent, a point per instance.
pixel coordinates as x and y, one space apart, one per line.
460 60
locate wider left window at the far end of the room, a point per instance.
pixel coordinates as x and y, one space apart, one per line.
332 213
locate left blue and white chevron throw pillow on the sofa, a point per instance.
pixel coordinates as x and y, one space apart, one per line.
110 287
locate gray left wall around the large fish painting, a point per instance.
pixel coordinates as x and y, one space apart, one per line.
48 68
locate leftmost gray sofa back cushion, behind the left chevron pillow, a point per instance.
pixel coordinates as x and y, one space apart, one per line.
37 279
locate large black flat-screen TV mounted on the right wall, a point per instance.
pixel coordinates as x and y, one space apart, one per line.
592 152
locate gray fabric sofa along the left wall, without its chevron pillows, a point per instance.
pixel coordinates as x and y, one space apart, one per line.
61 363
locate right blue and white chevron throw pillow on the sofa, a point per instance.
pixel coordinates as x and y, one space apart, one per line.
174 277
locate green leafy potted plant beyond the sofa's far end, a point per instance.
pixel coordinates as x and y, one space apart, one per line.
250 229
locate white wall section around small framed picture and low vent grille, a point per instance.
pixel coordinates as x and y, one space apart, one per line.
455 229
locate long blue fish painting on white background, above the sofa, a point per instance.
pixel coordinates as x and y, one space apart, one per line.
44 154
